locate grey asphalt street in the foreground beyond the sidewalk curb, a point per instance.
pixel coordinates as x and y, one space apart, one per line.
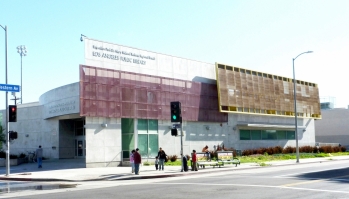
314 180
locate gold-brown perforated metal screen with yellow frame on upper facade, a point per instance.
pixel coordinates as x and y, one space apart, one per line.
251 92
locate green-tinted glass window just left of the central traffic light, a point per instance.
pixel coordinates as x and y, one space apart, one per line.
148 137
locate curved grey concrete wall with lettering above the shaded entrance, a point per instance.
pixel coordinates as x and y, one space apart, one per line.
63 100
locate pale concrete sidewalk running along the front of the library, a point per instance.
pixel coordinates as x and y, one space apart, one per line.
73 170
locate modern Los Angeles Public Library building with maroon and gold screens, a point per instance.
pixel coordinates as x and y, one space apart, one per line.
122 102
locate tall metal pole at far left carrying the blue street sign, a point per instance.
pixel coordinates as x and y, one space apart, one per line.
6 120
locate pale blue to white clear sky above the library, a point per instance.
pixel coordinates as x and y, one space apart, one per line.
261 35
